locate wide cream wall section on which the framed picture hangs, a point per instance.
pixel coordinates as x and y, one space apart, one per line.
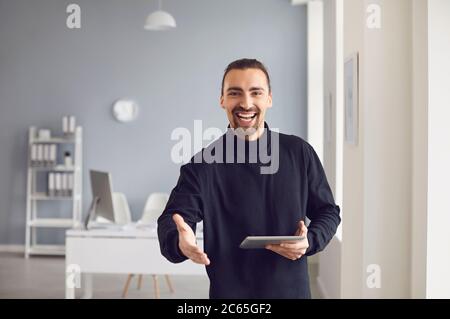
377 171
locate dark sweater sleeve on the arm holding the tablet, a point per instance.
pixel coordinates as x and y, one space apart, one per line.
321 208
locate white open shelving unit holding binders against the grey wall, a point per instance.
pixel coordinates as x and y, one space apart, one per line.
33 221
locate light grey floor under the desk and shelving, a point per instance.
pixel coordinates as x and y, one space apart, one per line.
43 278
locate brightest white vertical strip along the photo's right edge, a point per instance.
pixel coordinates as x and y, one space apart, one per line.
438 205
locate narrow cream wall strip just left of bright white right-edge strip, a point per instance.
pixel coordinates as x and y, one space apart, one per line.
419 133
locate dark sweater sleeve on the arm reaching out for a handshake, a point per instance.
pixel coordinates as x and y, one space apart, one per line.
185 199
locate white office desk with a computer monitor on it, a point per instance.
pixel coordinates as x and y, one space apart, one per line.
106 251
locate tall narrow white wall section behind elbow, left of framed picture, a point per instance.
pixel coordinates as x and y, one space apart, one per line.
329 279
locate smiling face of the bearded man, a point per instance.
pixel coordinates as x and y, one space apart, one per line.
246 98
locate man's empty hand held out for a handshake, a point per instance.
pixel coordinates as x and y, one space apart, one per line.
187 242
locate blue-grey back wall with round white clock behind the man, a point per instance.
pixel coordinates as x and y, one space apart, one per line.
47 71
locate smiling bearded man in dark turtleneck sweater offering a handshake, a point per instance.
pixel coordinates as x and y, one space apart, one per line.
251 181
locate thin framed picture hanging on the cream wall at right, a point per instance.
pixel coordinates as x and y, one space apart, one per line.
351 97
